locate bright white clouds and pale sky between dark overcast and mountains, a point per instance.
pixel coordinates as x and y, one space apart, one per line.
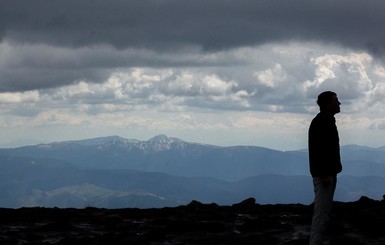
266 102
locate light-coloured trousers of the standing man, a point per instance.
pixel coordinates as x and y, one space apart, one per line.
324 191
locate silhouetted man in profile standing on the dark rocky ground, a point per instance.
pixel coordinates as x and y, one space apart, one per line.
324 161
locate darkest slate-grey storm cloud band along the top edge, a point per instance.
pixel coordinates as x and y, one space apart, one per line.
210 24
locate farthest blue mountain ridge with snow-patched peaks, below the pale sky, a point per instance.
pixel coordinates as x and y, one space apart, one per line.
177 157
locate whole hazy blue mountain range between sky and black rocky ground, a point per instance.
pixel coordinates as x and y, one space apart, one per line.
114 172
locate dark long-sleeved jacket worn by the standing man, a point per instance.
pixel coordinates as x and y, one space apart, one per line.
324 146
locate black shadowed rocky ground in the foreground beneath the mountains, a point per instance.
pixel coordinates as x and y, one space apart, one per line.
360 222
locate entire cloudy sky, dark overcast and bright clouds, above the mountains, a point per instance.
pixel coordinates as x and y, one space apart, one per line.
240 72
